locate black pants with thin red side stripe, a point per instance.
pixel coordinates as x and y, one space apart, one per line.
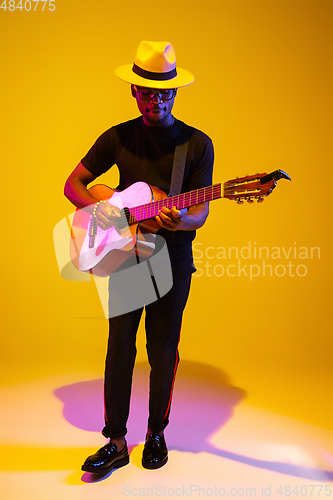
163 324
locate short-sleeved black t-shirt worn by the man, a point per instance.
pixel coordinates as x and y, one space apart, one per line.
144 153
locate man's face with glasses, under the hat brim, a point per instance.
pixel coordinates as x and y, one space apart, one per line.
154 107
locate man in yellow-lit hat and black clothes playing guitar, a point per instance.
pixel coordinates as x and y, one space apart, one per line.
143 150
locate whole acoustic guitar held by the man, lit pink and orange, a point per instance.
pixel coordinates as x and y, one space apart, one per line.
101 252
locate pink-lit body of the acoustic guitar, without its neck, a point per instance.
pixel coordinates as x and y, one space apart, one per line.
113 246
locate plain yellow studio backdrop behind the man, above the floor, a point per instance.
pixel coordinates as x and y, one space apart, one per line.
263 93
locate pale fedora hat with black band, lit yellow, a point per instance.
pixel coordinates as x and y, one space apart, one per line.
155 67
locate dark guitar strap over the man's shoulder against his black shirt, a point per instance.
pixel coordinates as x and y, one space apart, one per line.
179 160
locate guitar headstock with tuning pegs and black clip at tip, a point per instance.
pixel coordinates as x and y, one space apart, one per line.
252 187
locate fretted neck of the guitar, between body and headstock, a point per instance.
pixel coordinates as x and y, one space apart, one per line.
184 200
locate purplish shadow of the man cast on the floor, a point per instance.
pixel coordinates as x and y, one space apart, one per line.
203 402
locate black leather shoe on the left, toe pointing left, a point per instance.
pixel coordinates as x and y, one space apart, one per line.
106 459
